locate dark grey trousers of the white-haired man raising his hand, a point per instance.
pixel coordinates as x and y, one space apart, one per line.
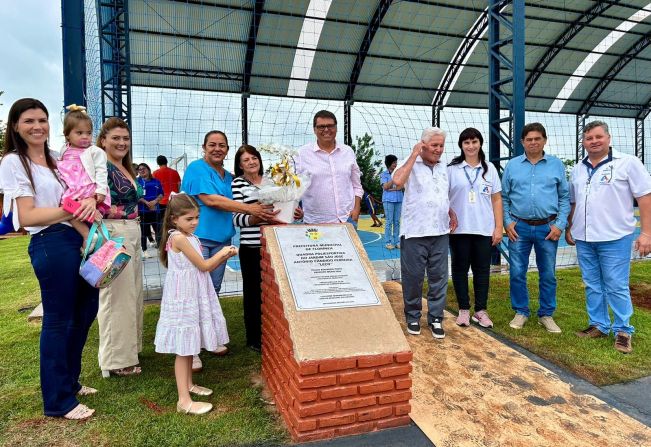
420 255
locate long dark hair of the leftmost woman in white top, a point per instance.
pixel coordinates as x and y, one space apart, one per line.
14 143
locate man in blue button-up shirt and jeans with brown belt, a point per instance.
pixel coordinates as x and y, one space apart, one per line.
536 200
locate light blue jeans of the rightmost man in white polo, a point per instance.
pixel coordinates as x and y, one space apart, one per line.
605 268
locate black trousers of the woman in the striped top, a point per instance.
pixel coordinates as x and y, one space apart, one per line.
251 278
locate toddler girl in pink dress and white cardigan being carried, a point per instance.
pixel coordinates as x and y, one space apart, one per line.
82 166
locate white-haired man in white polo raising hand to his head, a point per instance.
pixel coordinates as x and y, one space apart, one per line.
426 224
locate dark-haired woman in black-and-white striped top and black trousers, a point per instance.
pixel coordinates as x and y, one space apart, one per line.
248 172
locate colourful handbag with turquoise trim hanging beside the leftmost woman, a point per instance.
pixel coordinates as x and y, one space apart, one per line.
105 264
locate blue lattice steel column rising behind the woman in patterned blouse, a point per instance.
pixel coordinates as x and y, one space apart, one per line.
113 25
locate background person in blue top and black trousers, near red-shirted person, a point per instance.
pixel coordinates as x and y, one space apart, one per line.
148 208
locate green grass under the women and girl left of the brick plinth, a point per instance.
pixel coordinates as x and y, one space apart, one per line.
138 411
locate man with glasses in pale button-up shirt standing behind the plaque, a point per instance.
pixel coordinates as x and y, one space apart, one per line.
335 192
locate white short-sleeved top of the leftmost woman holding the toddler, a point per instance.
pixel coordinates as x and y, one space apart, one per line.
15 183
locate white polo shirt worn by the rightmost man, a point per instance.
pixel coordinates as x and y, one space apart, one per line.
604 202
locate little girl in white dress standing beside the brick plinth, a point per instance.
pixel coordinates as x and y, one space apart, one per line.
191 318
